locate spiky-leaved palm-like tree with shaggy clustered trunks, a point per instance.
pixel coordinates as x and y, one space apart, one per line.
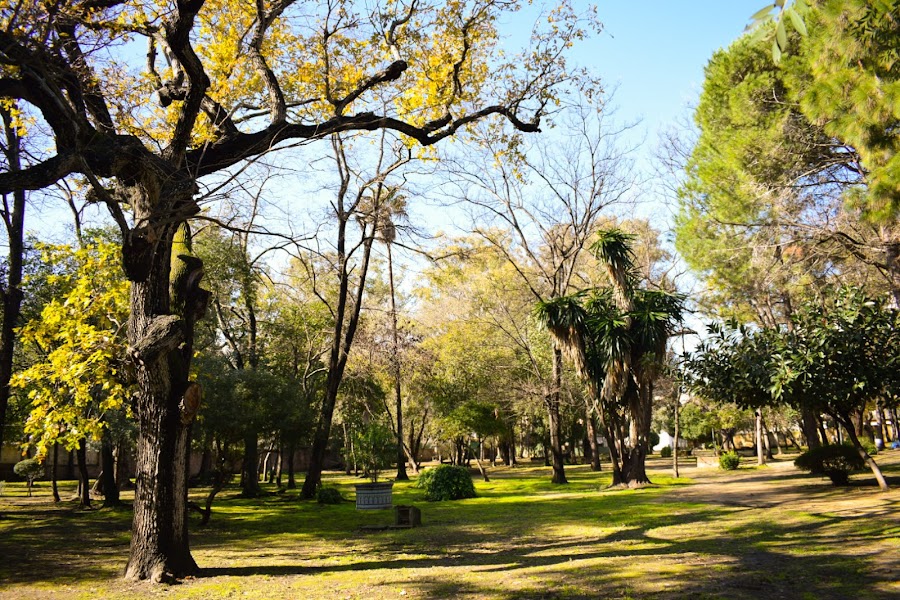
617 339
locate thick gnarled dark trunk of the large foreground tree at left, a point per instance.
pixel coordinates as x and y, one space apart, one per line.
165 302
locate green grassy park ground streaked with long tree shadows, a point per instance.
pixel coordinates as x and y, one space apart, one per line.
759 533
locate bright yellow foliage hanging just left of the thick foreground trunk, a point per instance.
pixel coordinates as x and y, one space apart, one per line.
79 378
